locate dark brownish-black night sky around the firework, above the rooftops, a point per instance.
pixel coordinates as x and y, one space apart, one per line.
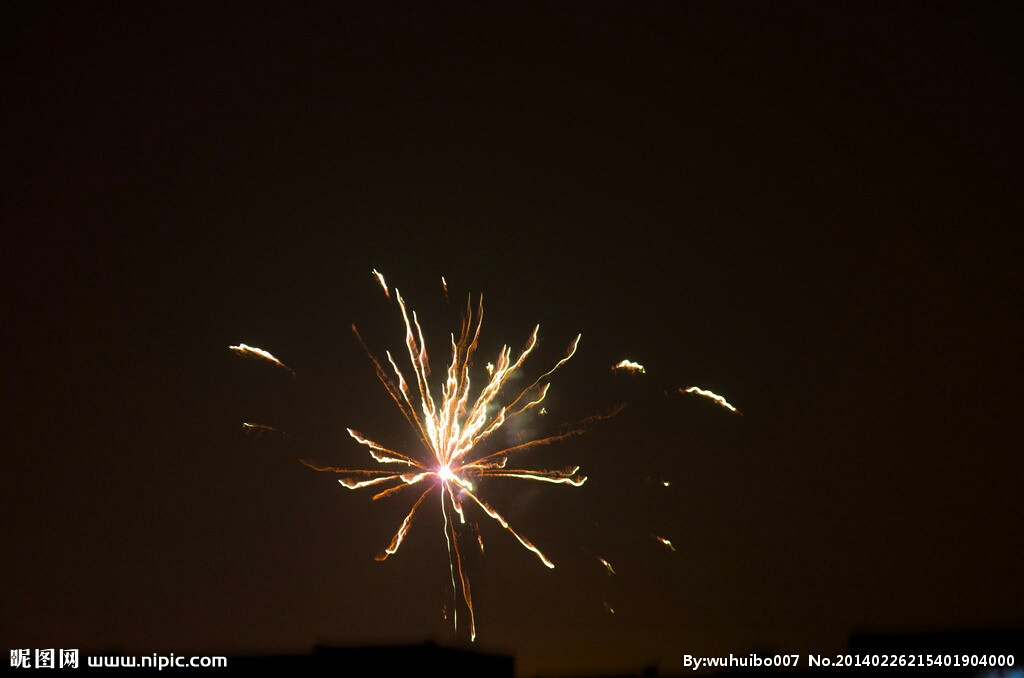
812 208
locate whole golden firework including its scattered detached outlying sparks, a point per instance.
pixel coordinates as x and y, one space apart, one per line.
454 428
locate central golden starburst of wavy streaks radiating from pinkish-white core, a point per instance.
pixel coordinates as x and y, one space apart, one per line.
452 430
